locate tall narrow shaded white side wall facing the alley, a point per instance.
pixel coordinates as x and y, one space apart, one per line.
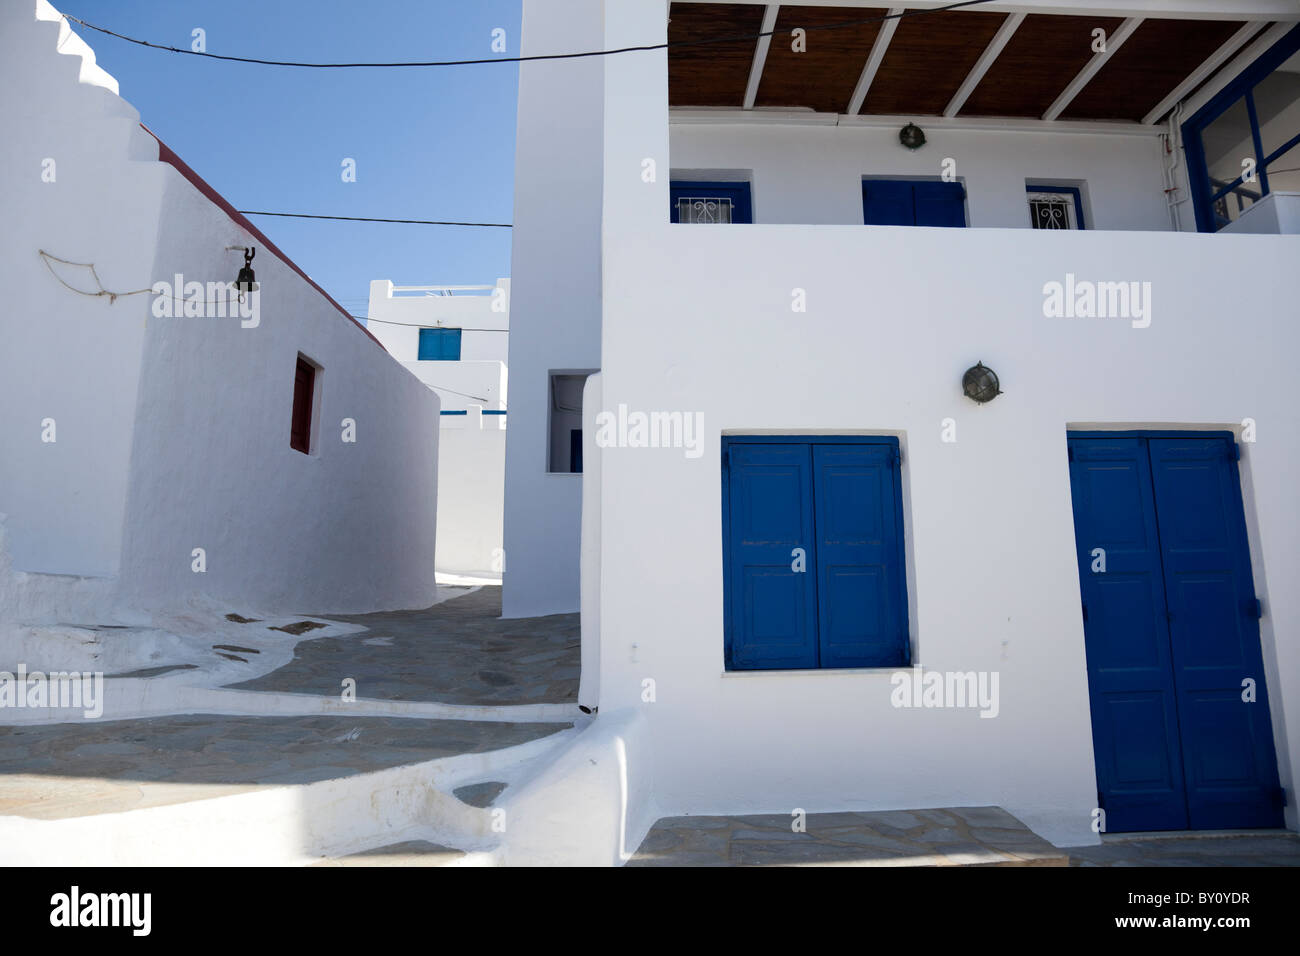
556 289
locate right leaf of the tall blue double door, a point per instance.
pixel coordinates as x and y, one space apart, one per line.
1229 762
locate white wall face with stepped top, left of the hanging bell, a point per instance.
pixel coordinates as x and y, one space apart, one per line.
77 180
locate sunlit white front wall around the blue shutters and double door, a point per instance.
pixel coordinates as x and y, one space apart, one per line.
700 321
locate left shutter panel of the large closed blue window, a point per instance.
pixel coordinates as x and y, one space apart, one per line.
772 605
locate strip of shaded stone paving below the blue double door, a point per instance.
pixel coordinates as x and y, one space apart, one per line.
1217 850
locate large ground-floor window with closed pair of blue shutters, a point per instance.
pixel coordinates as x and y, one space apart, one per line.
813 553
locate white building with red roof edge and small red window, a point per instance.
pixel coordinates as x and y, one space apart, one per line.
279 460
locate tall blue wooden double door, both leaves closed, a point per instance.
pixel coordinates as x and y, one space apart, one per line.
1171 637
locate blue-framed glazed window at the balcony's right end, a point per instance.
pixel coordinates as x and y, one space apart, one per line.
1237 105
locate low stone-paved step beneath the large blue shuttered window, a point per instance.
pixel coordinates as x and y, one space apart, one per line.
967 836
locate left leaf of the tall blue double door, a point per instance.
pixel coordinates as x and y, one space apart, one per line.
1130 673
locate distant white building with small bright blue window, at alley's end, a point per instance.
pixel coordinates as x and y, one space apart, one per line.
454 340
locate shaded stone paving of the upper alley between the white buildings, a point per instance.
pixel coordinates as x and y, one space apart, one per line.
457 652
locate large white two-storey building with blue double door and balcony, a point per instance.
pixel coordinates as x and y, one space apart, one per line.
759 595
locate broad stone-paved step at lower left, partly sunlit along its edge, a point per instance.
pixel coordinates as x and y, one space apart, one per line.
73 769
